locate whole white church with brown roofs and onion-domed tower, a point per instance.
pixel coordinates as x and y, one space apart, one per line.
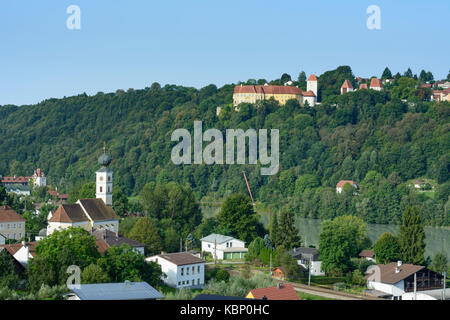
90 214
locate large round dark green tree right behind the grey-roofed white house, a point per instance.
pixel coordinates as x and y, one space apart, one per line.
239 217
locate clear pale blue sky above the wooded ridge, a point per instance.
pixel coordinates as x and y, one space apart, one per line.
130 44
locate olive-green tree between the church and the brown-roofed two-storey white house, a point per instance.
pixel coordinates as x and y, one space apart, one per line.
144 232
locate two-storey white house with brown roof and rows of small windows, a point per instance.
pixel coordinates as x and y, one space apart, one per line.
182 269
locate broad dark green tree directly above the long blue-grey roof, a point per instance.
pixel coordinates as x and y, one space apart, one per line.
125 263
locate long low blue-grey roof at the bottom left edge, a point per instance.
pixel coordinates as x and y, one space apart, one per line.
114 291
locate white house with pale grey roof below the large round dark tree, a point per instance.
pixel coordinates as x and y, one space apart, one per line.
224 247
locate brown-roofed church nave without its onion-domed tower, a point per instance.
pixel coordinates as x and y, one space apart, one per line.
85 213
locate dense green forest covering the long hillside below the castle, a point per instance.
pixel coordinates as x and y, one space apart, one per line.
381 140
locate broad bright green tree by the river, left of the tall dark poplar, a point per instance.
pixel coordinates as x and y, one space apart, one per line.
339 241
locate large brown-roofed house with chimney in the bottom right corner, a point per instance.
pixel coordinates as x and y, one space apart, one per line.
397 281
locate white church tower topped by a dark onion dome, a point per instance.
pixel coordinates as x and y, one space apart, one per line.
104 179
